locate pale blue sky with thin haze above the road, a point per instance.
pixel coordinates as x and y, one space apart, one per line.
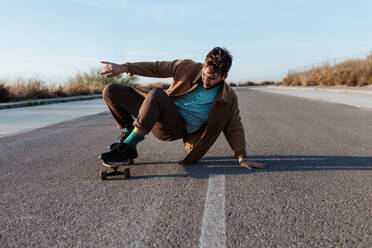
53 40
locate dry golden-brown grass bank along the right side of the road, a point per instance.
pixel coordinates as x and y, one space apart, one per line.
357 72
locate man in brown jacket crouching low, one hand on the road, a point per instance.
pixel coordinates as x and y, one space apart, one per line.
197 107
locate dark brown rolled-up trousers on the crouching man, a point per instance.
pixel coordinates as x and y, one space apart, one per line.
156 113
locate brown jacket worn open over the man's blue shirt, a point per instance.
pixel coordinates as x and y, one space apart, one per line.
223 117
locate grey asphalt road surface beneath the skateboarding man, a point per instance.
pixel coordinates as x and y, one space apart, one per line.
317 191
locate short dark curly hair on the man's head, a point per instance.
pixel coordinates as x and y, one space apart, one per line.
218 60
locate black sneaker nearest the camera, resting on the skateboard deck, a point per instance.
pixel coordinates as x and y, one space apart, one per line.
122 153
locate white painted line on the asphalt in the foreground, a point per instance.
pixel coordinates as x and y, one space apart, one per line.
213 232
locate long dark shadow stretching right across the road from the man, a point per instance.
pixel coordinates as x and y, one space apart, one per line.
229 166
